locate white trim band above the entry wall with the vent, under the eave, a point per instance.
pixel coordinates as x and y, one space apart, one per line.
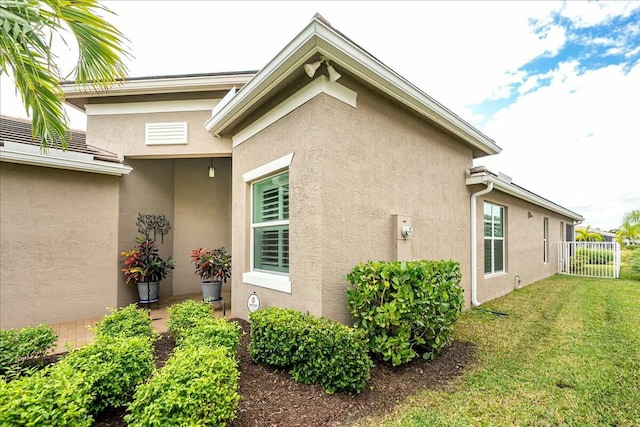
151 107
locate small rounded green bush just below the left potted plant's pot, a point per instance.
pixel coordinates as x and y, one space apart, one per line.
125 323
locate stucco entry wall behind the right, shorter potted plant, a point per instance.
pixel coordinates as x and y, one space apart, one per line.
202 216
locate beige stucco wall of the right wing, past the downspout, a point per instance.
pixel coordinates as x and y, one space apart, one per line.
524 245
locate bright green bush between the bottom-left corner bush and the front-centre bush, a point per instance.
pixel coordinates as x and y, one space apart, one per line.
113 368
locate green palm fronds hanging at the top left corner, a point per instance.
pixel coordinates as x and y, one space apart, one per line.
26 31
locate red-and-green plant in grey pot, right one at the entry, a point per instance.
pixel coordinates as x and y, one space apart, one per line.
214 268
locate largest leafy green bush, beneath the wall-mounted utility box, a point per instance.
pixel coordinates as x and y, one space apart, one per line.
406 308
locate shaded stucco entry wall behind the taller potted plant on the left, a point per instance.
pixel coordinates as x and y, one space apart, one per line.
148 189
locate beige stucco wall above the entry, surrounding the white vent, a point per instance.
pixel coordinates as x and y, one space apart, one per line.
125 134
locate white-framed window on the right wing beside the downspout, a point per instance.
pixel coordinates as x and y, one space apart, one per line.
493 238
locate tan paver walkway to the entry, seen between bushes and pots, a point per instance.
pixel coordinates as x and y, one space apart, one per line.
72 335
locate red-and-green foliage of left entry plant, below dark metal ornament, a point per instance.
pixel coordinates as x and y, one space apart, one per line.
143 263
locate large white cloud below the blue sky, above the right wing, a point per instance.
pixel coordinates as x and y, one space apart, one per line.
574 141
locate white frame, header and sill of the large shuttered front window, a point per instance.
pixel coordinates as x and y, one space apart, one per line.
266 279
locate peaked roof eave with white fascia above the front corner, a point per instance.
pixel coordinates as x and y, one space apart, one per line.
319 38
